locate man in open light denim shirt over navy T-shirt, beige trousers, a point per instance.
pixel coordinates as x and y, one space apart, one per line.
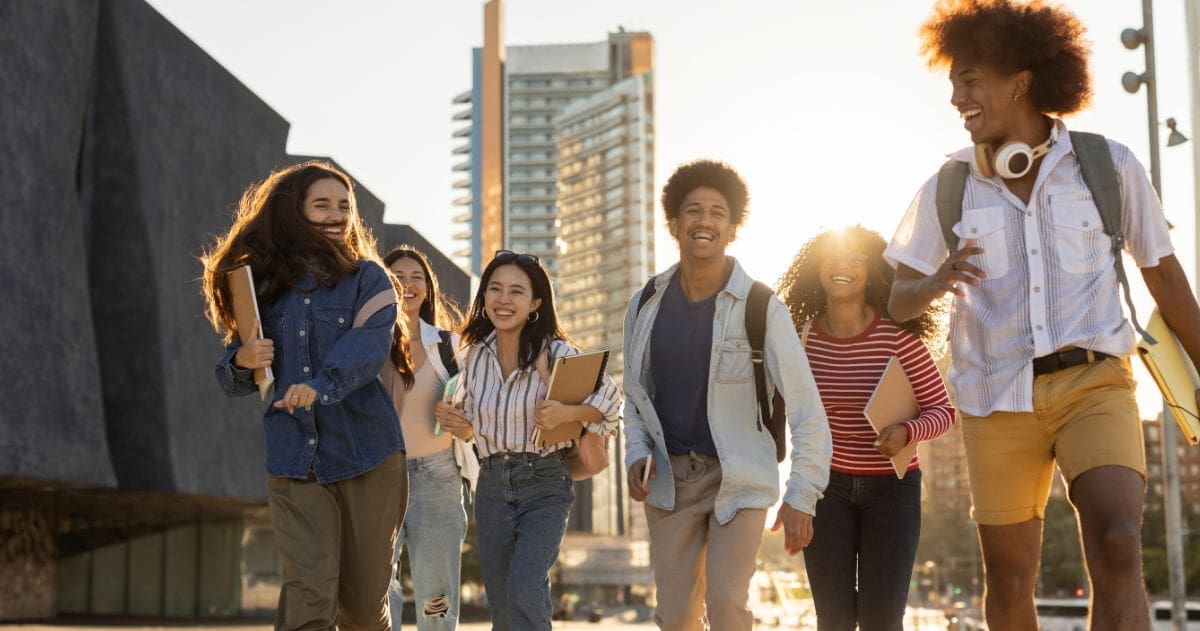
691 402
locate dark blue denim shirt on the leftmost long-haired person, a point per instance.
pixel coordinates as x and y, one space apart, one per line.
352 426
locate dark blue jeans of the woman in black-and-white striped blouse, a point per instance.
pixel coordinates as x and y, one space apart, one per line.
521 507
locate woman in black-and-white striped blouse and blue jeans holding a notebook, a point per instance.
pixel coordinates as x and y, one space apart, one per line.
525 492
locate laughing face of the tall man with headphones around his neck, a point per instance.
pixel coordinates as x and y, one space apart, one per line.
986 103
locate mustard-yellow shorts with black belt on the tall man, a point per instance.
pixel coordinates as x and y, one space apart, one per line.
1084 417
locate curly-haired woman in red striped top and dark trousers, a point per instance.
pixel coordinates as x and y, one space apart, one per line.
868 524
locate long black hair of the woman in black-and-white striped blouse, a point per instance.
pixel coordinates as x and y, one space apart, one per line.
535 335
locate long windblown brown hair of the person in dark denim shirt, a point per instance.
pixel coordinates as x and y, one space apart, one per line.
272 235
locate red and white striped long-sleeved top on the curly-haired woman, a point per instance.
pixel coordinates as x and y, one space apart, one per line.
848 370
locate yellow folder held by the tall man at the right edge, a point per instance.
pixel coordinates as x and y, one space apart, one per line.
1174 375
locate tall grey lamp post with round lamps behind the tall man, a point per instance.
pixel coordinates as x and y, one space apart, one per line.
1132 39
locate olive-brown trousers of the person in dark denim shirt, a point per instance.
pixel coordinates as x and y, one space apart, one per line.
337 542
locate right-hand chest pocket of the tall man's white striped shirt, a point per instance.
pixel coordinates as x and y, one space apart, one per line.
1081 242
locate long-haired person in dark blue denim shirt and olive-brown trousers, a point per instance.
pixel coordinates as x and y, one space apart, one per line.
337 484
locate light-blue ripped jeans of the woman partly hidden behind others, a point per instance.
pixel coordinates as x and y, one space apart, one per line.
435 528
